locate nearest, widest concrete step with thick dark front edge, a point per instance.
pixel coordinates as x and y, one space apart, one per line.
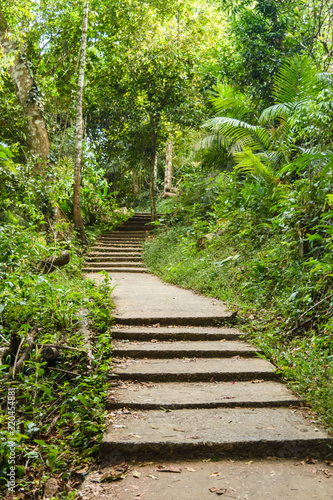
229 432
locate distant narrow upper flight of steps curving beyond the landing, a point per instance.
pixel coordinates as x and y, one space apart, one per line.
120 250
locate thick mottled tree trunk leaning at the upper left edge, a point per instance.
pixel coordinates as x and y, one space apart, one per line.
28 95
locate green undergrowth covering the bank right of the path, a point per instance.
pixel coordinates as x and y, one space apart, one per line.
234 247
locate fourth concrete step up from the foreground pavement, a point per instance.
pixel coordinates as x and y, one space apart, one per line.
187 349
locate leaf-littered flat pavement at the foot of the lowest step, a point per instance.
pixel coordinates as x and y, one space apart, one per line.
271 479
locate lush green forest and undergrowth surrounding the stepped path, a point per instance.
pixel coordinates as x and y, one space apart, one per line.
212 117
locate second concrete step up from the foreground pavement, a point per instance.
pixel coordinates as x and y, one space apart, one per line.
189 395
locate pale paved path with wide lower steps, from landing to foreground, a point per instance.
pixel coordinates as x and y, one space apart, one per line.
189 390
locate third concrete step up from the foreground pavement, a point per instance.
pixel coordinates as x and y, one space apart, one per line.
192 370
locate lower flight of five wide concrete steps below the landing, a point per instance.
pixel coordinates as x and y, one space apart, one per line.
194 392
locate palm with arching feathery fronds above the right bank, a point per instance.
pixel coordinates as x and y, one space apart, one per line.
263 149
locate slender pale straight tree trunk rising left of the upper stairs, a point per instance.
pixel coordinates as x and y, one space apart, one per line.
77 216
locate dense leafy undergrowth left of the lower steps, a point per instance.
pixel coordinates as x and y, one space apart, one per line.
54 428
